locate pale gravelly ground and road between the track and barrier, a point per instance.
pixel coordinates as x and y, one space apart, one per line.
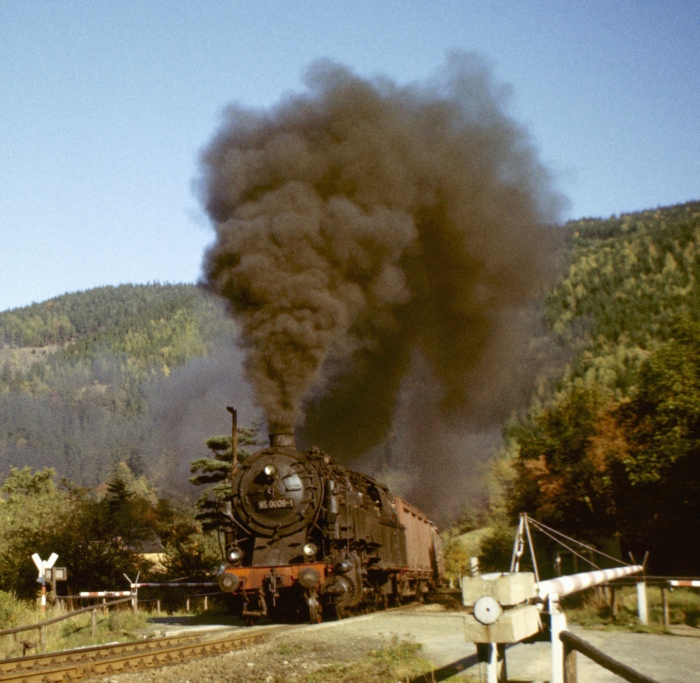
292 656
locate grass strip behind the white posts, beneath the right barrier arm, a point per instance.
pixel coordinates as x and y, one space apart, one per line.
592 608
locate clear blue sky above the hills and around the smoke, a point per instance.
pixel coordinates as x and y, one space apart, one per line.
105 106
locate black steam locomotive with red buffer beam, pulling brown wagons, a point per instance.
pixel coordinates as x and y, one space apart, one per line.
309 539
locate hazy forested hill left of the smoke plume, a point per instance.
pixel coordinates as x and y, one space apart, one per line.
78 372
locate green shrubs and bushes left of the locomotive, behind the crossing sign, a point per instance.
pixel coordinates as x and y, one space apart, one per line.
98 537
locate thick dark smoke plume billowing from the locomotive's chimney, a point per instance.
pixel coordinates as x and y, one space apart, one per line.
364 229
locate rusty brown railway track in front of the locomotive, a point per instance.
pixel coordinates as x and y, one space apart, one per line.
75 665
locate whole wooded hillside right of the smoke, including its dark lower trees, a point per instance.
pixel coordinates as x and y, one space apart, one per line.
612 447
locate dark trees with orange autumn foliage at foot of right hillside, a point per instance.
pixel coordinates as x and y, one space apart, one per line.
595 467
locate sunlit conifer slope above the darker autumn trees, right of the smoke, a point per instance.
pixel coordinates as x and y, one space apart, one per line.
629 280
